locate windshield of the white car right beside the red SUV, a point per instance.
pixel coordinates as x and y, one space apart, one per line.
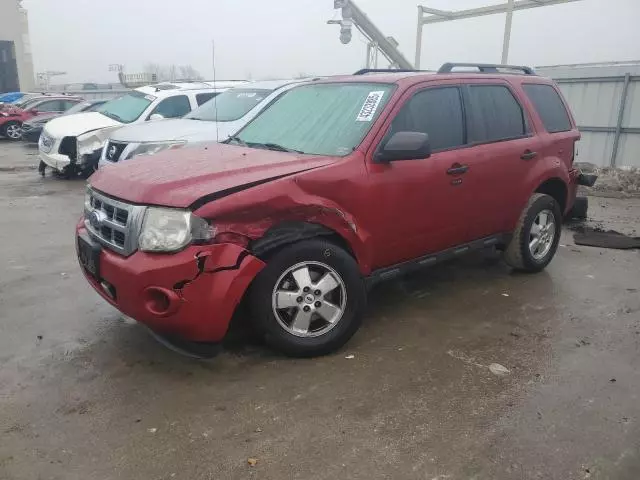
230 105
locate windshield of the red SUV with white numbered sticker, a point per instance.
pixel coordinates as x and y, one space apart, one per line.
322 119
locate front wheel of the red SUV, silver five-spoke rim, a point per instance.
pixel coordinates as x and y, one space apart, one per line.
310 298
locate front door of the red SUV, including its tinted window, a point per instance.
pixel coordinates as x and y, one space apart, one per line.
422 206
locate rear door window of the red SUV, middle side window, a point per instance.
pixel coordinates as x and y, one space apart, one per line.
495 114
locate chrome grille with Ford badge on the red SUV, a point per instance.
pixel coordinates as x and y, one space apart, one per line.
115 224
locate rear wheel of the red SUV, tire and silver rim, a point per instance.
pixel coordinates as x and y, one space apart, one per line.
537 235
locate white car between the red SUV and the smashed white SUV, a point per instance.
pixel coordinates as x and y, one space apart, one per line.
213 121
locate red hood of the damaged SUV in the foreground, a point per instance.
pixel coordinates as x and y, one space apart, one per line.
180 177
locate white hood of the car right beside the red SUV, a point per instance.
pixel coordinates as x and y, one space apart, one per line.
172 129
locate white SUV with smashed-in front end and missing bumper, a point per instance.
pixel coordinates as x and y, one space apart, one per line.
73 144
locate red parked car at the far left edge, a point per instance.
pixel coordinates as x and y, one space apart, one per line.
11 119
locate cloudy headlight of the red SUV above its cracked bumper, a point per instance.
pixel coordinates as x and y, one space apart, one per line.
169 230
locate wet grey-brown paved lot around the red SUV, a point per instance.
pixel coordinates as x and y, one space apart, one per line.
85 395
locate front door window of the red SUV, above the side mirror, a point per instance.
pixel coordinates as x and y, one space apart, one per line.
438 113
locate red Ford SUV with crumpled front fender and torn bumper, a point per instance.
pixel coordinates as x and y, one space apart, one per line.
341 182
